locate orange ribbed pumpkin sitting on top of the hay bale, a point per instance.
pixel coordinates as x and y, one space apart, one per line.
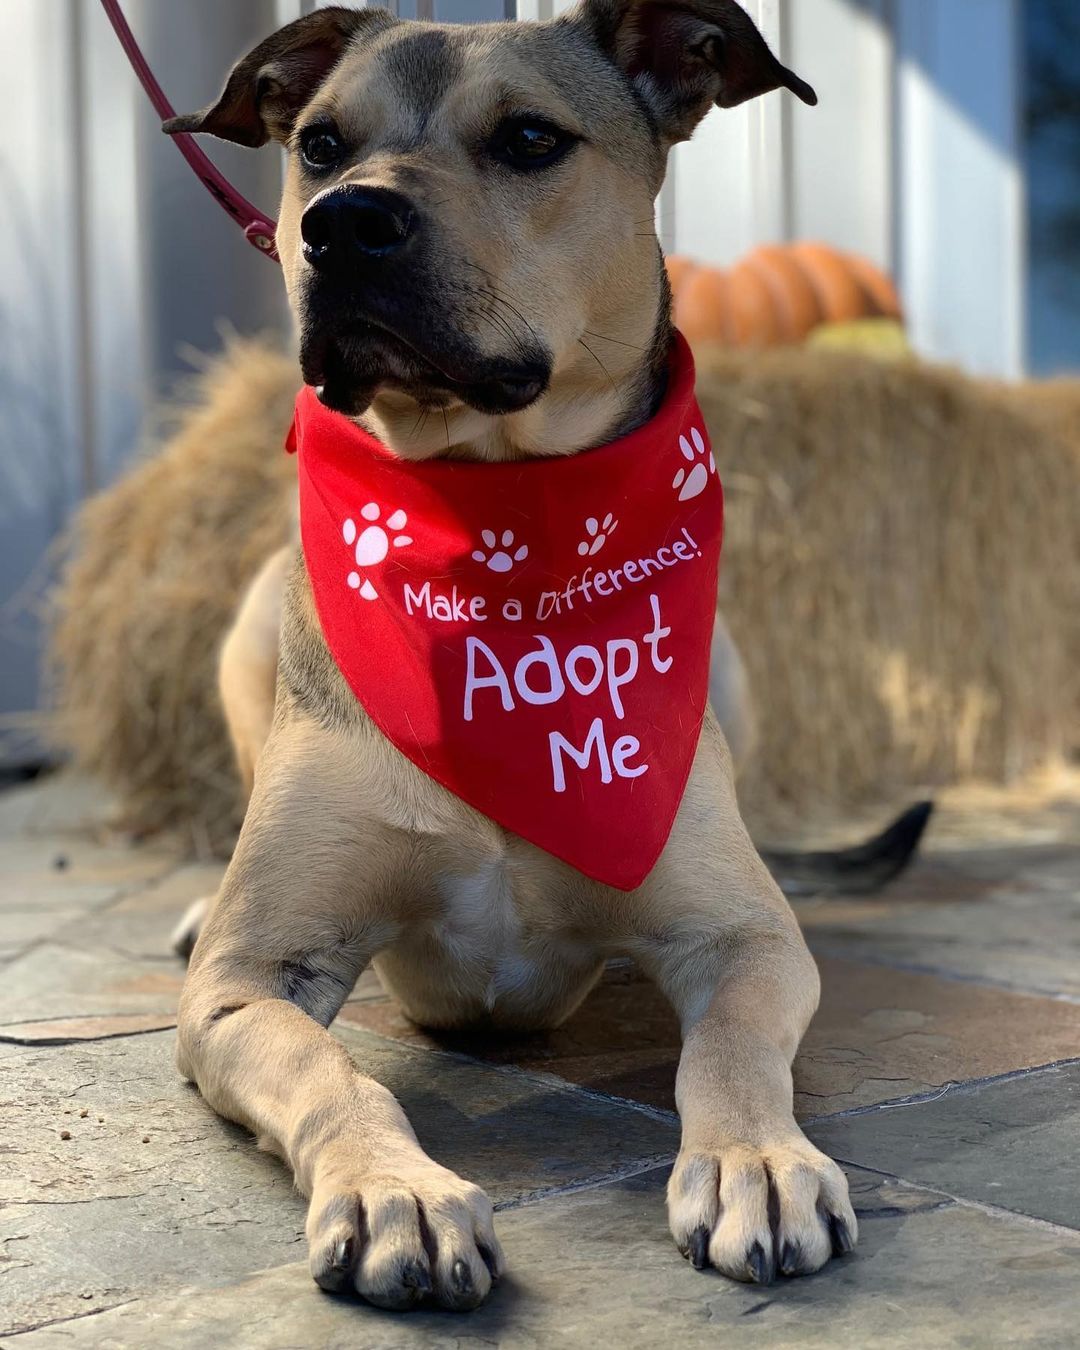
778 295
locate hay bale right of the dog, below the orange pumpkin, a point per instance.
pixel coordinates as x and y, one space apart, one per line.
901 572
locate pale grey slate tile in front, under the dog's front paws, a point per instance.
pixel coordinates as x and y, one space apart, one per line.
593 1270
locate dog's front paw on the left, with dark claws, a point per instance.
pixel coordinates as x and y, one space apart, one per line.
403 1237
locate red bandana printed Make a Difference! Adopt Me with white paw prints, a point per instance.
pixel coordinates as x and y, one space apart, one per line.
535 637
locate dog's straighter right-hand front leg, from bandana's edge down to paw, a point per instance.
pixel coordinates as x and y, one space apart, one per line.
750 1194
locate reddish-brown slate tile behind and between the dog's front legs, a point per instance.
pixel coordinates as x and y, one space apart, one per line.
880 1035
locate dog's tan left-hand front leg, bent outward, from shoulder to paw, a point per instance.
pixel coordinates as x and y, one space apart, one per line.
310 897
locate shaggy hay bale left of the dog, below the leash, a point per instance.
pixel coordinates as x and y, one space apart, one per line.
157 566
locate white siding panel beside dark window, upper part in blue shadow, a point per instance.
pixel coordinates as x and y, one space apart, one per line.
961 188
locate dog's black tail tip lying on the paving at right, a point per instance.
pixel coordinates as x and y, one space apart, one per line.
867 867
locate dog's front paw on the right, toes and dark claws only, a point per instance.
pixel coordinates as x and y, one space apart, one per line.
755 1213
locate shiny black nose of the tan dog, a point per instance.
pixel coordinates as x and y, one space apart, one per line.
348 223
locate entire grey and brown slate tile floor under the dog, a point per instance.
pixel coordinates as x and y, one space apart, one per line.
943 1070
